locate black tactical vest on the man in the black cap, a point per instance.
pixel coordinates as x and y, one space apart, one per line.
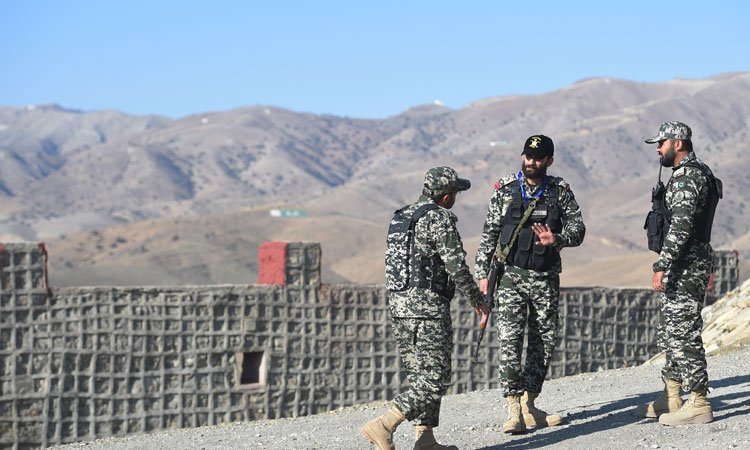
524 253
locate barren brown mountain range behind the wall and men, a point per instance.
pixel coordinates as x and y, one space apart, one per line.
150 200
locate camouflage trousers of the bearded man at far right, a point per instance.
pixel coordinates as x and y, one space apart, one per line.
680 325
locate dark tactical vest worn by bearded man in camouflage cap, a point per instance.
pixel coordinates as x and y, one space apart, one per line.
659 218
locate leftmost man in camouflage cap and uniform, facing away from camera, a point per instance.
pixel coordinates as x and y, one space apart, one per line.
420 313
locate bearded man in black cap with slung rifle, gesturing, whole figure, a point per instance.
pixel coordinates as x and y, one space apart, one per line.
528 292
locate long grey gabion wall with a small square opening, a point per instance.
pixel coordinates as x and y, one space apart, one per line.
85 363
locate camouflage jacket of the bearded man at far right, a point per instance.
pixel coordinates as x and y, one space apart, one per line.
686 195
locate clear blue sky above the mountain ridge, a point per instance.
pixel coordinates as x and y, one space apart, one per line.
349 58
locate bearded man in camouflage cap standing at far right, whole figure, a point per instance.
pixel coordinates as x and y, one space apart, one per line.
679 229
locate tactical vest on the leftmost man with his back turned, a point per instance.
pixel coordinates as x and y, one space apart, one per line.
403 267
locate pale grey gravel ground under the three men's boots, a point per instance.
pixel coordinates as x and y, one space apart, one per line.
598 408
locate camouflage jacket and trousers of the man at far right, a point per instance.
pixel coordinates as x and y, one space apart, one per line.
688 264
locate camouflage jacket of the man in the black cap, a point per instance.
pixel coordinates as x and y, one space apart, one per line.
573 226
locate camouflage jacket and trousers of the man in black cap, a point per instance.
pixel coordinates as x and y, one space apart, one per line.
527 296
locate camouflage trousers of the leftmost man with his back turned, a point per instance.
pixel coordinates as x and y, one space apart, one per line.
425 346
